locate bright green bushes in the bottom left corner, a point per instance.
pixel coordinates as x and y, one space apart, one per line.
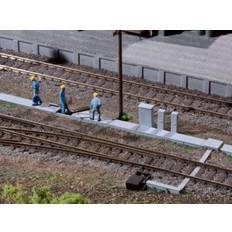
40 195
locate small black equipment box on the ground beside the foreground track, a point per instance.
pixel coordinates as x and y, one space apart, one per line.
138 181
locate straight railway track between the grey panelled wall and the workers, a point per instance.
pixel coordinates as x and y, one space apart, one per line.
150 93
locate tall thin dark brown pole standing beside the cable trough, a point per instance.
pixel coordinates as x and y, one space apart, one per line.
120 73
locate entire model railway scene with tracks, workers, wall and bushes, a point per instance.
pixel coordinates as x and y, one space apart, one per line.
146 115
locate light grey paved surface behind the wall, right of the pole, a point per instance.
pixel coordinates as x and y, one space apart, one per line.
212 63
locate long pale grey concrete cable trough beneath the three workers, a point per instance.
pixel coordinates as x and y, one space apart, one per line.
122 125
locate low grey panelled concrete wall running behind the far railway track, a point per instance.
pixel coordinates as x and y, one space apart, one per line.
102 63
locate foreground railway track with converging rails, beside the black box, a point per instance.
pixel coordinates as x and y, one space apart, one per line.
18 132
